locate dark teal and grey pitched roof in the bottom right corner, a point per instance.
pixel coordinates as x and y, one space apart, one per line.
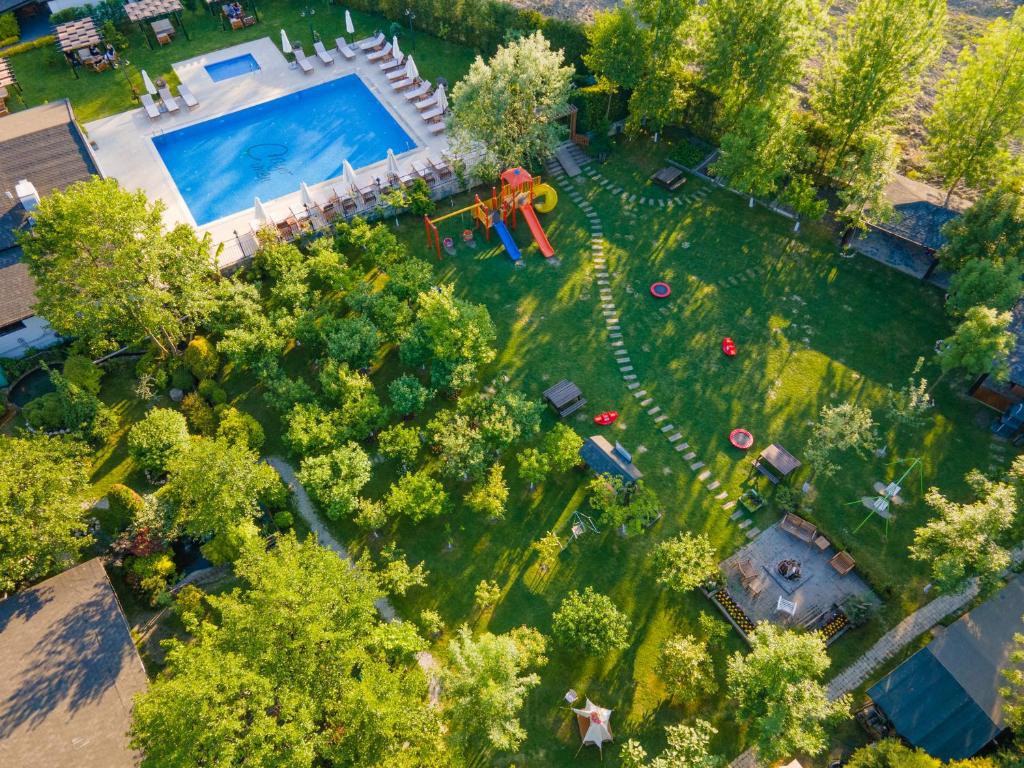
946 699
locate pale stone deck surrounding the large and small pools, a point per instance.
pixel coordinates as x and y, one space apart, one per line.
124 150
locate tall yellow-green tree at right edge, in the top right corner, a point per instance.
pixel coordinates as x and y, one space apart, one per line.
979 108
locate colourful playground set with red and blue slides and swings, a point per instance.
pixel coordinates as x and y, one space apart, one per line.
522 195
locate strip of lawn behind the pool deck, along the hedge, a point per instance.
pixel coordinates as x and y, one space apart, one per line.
46 76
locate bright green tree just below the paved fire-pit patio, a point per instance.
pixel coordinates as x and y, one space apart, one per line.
779 692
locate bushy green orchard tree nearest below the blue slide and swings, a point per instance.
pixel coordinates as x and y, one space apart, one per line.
453 337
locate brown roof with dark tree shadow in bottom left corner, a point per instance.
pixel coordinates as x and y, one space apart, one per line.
70 674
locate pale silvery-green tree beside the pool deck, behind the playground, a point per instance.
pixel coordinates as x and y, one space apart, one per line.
509 107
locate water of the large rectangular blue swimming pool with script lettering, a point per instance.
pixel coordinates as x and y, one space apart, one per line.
267 151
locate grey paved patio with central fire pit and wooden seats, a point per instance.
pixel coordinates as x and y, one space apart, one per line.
786 577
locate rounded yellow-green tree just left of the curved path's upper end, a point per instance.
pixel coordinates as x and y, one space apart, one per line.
216 485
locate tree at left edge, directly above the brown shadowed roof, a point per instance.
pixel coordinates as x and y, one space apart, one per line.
41 515
